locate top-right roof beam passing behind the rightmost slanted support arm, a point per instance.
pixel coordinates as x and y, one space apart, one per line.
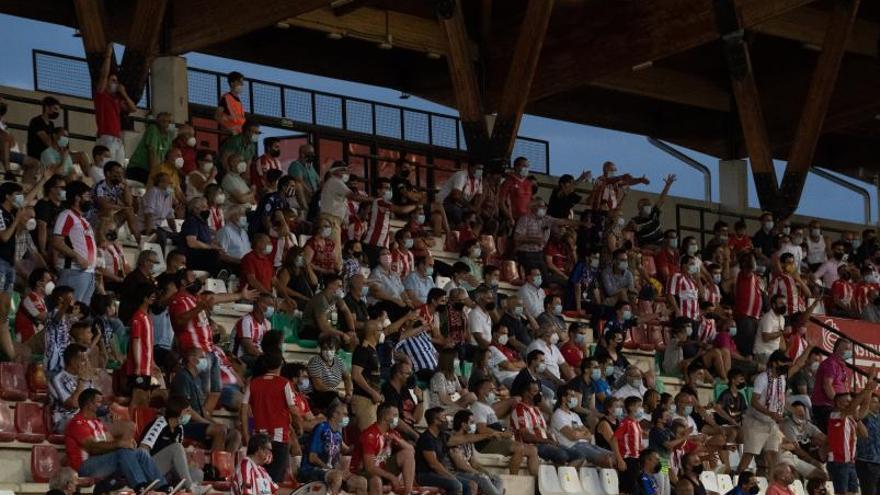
809 25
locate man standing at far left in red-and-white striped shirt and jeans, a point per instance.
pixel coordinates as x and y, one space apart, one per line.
74 243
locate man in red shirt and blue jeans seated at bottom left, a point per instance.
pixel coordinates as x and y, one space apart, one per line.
93 453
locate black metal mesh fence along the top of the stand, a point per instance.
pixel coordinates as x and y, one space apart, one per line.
64 74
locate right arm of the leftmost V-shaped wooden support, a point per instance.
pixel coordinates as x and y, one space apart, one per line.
141 47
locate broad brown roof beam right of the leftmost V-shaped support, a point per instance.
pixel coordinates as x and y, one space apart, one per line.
197 24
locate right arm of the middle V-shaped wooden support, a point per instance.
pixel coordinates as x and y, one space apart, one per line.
518 83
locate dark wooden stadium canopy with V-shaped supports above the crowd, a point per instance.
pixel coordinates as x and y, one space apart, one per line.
794 80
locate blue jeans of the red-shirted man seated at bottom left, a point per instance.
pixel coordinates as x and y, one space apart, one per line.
135 465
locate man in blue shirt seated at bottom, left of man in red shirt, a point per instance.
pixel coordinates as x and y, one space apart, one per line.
322 461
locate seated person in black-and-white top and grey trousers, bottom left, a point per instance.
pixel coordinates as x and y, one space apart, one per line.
163 439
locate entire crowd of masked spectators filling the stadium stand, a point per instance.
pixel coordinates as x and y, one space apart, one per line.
523 350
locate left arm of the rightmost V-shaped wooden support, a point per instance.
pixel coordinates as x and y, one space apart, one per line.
748 103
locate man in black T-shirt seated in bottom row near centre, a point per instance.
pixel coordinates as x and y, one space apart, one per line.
432 457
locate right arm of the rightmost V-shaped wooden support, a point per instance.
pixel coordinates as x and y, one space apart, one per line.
816 106
